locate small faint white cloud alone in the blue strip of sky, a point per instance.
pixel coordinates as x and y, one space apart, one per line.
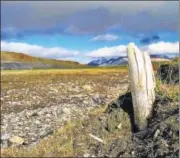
106 37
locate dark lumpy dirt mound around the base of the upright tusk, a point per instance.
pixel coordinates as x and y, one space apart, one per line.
160 139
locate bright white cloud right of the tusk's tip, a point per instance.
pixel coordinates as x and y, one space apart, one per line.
163 47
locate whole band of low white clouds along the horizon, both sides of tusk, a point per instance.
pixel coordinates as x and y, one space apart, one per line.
66 54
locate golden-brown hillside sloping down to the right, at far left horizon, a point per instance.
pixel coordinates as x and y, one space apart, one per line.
12 60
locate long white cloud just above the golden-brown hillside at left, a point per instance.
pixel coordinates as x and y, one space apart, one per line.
40 51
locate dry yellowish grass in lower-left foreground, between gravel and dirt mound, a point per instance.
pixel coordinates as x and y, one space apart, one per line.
71 140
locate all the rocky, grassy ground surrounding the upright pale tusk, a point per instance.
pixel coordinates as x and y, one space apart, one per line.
36 106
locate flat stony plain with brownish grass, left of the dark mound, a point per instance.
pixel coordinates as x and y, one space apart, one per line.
33 105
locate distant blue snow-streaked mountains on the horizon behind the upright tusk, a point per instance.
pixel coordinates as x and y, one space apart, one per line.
123 60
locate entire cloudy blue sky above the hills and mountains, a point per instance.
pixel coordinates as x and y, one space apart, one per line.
83 31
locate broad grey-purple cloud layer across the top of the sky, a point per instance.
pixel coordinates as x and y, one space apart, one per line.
93 17
